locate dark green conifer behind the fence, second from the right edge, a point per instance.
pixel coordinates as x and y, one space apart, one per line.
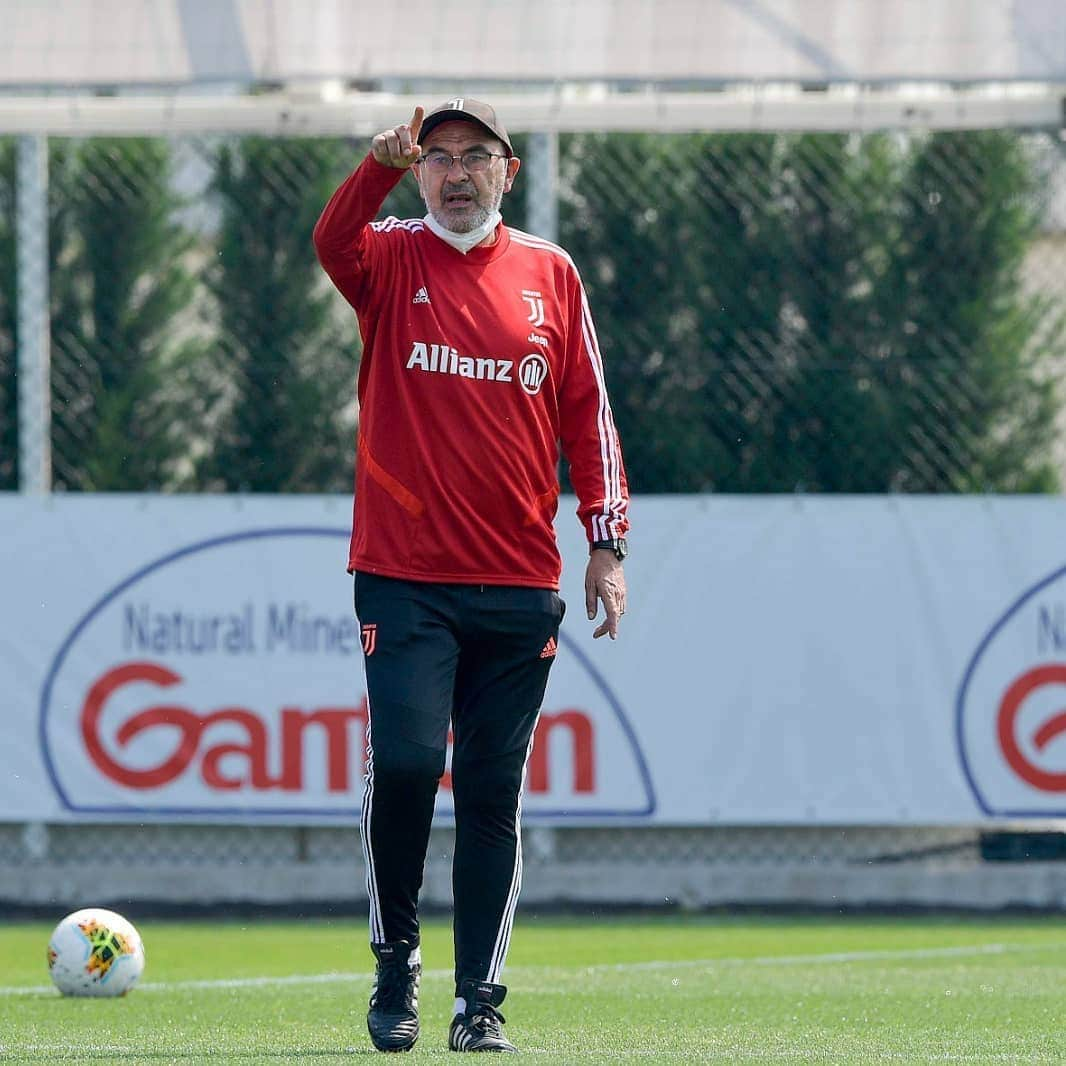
833 426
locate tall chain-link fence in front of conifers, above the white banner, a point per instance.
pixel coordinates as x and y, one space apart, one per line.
779 313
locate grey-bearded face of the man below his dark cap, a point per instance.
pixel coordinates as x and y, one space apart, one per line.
459 201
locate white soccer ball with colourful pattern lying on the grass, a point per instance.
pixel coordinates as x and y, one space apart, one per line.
95 952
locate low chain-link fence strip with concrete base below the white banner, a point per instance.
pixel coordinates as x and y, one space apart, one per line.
159 867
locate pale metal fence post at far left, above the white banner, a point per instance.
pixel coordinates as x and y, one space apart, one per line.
35 334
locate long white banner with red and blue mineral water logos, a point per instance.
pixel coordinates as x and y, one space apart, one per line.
784 660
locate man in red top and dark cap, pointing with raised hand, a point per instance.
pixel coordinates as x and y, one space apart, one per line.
479 359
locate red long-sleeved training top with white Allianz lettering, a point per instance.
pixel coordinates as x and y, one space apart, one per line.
475 367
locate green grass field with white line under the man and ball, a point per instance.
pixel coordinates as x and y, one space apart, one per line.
667 990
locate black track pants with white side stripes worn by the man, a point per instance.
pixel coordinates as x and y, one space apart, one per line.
474 658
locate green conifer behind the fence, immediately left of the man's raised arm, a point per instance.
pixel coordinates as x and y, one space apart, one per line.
284 367
